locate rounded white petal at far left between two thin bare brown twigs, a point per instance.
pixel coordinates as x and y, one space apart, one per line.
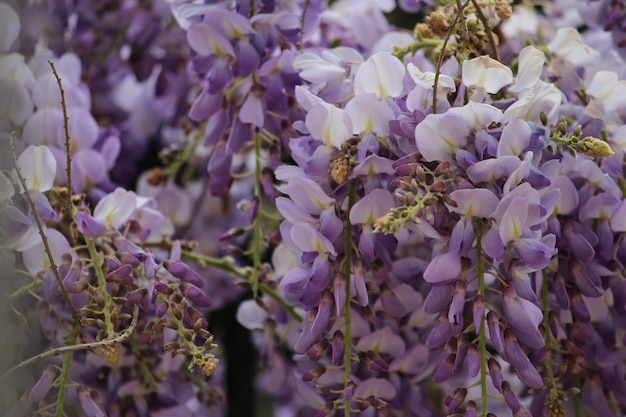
38 167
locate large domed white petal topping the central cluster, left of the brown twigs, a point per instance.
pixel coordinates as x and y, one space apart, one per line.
382 74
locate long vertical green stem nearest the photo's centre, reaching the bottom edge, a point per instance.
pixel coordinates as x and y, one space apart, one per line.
347 312
